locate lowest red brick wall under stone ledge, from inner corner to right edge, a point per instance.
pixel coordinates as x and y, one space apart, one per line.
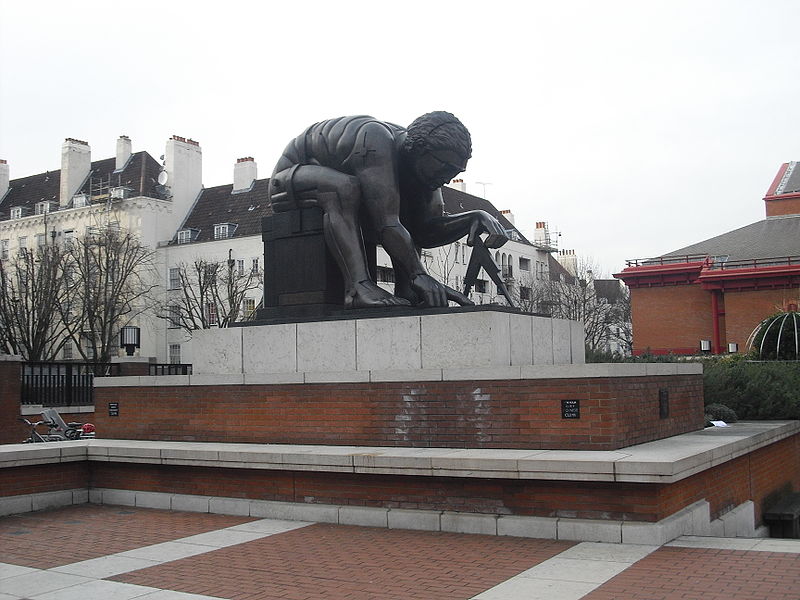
754 476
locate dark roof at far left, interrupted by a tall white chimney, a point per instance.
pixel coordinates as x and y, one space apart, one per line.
140 173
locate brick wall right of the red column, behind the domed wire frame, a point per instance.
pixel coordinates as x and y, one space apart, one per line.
745 310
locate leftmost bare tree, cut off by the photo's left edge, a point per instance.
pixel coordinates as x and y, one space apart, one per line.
30 295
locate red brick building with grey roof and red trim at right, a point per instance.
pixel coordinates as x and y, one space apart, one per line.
716 292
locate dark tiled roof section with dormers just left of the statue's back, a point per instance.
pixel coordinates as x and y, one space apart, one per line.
219 204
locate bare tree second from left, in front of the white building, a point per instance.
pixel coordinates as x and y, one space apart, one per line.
108 277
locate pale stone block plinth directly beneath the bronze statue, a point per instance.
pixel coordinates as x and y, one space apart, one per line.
456 340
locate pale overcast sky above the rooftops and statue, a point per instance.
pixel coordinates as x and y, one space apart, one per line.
633 128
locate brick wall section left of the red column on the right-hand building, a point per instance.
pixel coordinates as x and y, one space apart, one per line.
671 319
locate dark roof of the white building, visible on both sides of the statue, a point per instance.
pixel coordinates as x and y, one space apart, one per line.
220 205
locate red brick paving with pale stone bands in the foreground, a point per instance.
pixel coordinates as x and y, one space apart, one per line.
106 552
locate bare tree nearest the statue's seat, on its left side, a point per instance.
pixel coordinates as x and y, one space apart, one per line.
210 294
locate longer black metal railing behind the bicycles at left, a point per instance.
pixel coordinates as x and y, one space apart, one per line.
62 383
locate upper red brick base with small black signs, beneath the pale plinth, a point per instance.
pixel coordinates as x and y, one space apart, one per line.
614 412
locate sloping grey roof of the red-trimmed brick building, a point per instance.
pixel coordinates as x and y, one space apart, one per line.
773 237
